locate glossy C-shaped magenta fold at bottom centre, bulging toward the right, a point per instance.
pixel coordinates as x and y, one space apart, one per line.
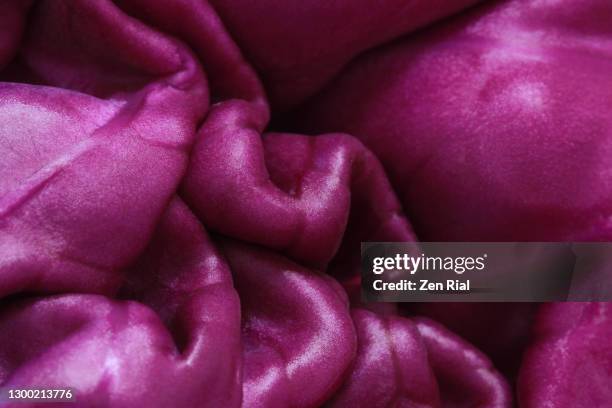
298 337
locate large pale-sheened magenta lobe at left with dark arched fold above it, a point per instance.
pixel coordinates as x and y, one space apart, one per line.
79 171
